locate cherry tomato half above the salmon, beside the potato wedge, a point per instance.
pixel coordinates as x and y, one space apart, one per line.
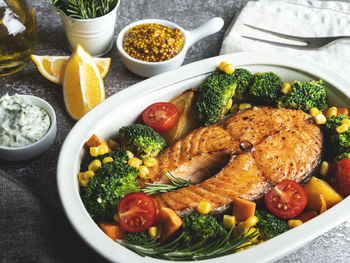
160 116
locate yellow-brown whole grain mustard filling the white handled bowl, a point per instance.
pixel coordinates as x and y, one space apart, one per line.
153 42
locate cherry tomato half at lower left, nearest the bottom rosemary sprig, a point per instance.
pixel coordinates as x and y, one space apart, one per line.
137 212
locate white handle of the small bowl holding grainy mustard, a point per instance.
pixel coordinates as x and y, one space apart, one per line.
210 27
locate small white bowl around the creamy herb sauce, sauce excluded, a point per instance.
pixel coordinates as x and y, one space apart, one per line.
36 148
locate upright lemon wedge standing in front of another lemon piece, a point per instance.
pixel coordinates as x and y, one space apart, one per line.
83 86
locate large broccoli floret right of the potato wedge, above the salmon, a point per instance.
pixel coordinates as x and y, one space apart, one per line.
213 95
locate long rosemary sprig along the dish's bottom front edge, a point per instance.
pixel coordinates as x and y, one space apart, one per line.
186 250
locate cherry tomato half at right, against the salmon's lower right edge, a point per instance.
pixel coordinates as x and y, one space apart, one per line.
286 200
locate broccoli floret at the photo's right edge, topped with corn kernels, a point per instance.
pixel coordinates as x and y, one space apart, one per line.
339 143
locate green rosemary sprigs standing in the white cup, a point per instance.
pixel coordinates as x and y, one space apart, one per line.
85 9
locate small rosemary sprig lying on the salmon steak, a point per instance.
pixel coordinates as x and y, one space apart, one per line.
176 183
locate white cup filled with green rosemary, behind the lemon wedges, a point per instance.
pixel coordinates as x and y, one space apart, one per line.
89 23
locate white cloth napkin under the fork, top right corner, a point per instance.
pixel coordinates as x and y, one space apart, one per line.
294 17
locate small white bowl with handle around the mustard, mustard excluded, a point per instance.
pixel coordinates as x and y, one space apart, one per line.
149 69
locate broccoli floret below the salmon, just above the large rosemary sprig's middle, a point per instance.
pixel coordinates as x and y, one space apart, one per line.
202 227
